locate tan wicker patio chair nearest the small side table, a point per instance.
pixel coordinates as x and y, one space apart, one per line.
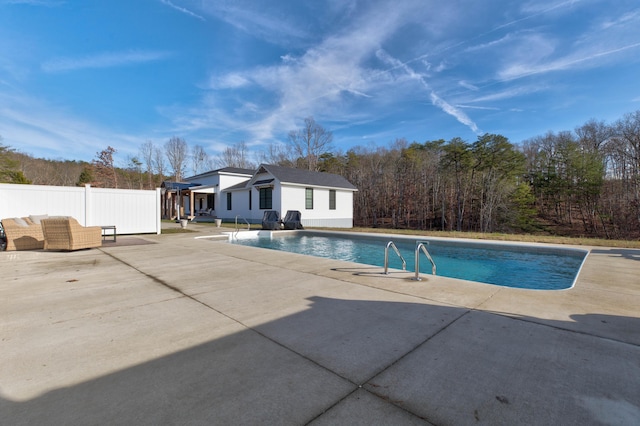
67 234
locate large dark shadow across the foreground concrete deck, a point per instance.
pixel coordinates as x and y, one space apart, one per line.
310 365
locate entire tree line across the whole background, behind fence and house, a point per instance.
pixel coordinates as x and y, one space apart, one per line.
582 182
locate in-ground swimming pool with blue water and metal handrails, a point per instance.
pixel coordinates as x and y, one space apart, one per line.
518 266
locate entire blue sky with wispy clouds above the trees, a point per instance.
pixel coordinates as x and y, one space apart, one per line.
77 76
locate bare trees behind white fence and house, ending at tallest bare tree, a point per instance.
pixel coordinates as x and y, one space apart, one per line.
153 163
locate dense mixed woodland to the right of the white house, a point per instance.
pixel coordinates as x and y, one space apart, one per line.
581 183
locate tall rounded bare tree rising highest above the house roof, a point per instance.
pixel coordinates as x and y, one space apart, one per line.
310 142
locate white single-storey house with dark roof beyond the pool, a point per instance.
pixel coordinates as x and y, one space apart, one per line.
324 199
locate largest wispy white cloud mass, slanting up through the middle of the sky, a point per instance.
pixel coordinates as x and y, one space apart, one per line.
318 82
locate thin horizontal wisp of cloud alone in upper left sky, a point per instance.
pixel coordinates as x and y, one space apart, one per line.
103 60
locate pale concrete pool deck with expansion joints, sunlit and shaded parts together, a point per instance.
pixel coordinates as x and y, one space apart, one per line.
194 331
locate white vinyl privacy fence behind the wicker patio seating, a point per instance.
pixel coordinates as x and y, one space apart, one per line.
131 211
